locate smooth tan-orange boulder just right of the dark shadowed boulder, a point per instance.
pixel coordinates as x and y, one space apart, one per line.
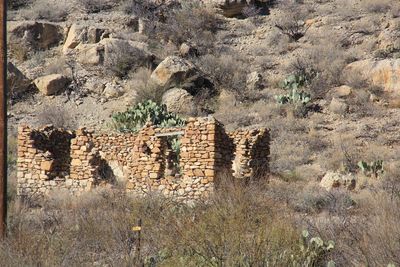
51 84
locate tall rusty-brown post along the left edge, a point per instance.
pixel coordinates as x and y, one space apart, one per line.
3 123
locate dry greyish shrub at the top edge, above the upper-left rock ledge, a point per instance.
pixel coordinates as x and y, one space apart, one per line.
39 9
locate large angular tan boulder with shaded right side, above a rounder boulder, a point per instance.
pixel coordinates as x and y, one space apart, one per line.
174 71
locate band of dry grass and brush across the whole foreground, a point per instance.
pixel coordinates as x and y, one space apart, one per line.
257 225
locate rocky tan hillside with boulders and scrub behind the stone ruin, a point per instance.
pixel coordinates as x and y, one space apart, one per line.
322 75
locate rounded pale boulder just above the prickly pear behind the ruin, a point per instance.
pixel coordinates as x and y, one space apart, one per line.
178 101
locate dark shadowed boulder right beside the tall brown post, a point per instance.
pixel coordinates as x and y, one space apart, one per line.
17 82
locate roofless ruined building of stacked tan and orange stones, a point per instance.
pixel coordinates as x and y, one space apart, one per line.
80 160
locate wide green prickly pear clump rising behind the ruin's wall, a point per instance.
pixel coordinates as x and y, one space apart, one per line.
136 117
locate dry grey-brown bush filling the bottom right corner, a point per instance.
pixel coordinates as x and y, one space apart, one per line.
374 236
